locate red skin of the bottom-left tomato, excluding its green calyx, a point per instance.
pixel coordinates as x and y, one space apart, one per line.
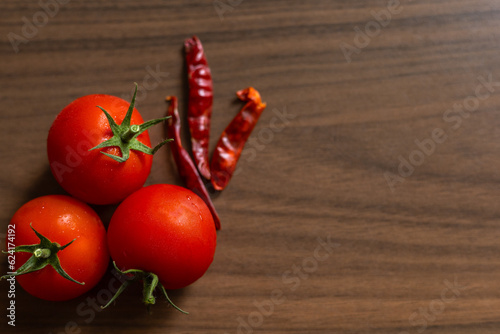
61 219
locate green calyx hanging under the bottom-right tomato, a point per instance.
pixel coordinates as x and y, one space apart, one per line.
150 283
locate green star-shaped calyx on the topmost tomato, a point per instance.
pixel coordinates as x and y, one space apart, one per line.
125 135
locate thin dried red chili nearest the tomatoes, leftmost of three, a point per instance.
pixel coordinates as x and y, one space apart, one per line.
185 166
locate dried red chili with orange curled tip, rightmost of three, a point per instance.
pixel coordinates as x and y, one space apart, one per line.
234 137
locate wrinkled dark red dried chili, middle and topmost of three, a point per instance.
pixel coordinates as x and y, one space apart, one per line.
200 103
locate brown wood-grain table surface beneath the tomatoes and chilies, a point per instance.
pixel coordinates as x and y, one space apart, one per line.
367 200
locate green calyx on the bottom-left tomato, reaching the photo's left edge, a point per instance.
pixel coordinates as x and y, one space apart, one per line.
44 253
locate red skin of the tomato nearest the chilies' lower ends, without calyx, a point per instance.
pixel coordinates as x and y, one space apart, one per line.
164 229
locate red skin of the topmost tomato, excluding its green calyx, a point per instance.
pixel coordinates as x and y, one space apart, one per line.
90 175
